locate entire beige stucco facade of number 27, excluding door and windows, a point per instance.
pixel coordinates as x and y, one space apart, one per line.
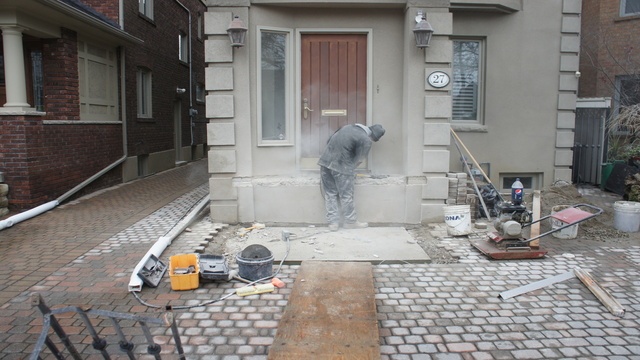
528 109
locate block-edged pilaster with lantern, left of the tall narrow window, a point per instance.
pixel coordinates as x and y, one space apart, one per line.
227 107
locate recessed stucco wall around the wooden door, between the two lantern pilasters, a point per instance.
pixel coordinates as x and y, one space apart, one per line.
384 27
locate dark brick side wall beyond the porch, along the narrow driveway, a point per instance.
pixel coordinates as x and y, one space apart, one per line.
160 55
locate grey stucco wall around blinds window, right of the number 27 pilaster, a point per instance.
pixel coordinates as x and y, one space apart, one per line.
524 101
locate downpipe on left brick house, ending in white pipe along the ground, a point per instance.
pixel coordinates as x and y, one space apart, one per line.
38 210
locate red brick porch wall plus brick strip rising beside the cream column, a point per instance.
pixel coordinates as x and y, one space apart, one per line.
43 161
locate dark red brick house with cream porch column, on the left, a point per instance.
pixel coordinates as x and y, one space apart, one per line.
97 92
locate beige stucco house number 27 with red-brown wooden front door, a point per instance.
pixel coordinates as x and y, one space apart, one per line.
309 67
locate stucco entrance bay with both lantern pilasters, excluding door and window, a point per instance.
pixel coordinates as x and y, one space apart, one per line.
397 99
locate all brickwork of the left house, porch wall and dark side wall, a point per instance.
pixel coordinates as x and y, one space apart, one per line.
44 159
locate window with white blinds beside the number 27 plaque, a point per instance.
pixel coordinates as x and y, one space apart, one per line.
466 79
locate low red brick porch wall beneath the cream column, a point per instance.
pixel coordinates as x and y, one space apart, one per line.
43 161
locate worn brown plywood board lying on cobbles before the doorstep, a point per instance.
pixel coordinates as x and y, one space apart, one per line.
331 314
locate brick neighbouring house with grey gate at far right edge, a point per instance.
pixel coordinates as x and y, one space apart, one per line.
609 82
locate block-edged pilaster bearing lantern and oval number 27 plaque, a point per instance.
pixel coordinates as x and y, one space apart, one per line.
428 108
